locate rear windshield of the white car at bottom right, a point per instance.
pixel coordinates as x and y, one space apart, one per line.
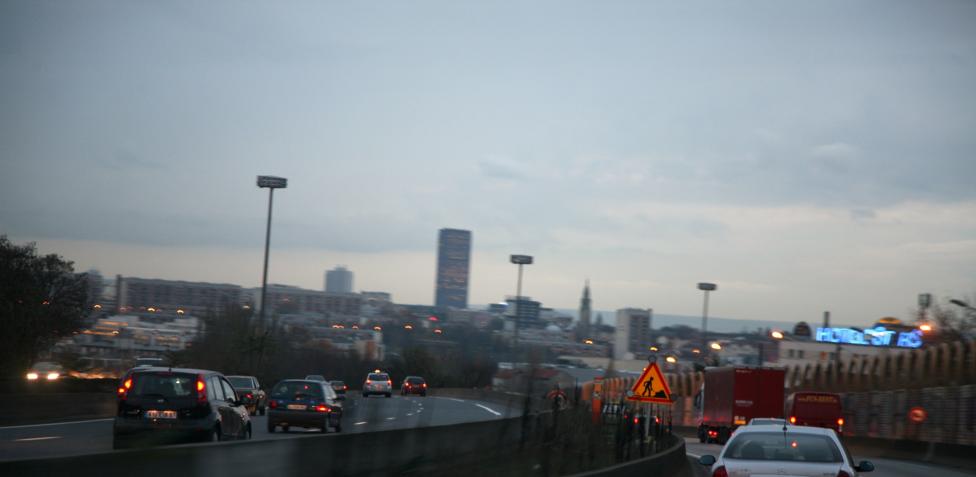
783 447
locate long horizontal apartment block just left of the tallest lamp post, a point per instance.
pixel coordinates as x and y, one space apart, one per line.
195 298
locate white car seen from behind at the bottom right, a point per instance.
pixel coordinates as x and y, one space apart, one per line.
796 451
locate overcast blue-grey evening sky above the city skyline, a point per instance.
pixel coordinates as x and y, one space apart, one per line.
804 156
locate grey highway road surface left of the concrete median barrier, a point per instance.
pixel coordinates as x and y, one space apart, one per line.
361 415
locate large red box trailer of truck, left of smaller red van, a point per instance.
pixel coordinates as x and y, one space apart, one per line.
731 396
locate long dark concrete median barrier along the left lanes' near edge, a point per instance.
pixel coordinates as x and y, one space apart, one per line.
393 452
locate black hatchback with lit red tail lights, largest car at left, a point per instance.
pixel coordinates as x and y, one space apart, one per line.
168 405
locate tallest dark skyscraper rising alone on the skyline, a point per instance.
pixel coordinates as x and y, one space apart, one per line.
453 268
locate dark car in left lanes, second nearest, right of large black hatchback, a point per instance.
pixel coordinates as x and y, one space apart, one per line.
304 403
